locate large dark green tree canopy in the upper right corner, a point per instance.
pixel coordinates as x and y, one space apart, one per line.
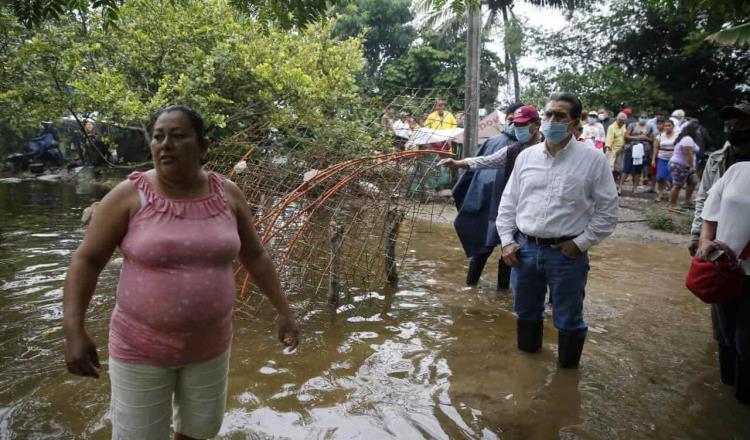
645 66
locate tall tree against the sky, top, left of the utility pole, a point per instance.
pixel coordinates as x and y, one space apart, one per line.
384 28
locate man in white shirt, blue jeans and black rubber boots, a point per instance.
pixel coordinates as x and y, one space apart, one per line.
560 201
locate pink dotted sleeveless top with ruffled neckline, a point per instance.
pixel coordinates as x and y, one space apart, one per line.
176 292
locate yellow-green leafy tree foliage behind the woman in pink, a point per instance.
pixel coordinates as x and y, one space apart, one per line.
231 68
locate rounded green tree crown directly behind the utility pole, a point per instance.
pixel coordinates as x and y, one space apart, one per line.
439 64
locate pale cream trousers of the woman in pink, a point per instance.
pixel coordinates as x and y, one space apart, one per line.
147 399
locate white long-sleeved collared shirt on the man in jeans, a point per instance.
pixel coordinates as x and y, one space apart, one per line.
569 194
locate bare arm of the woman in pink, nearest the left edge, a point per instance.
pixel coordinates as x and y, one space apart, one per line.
108 225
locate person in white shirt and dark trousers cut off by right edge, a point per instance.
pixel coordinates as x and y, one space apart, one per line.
726 226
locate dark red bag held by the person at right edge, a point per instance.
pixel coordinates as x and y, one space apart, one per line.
716 282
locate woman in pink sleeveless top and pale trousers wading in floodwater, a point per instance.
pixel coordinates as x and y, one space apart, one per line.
180 228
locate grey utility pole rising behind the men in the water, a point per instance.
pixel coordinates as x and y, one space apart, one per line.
471 103
